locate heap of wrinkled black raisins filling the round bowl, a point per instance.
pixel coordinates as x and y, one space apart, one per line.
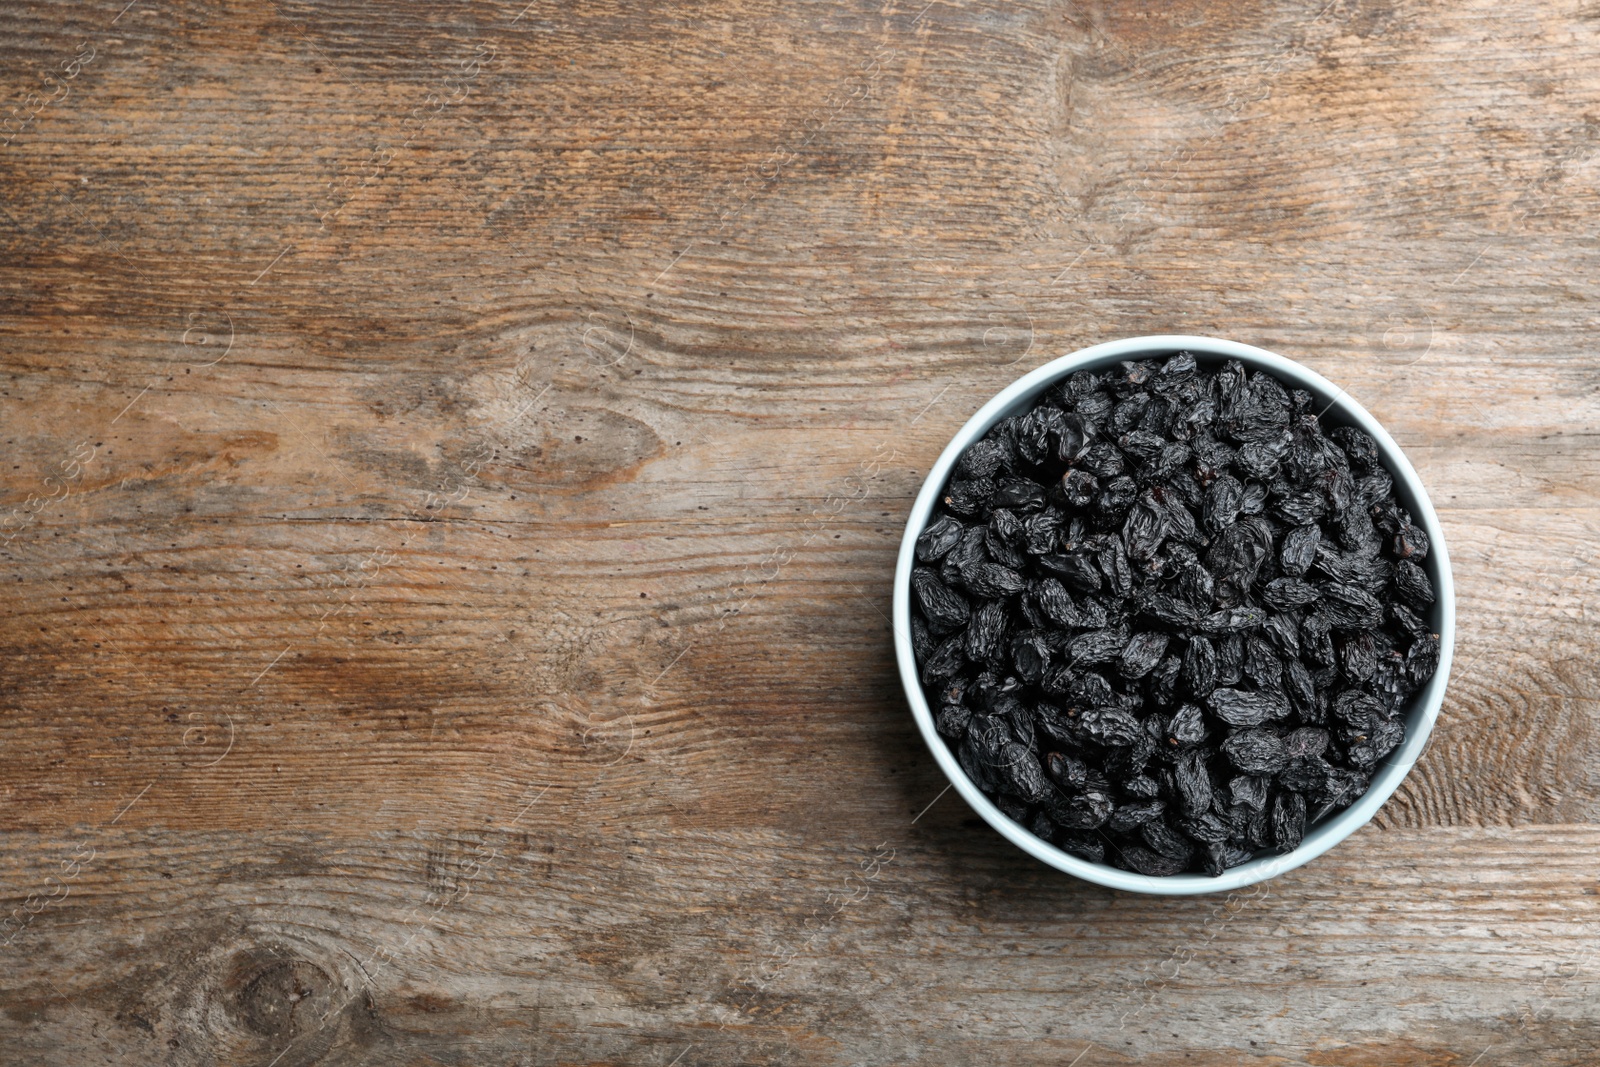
1167 621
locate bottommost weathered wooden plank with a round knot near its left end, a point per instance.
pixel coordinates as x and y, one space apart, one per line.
572 941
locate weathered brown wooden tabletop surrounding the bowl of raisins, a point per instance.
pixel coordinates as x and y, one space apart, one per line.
457 458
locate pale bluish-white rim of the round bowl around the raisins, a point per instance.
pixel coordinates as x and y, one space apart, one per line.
1409 490
